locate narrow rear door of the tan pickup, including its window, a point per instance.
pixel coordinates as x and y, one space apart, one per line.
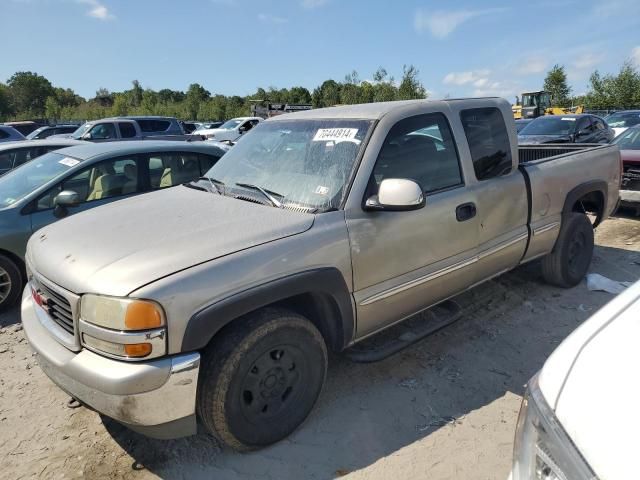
500 192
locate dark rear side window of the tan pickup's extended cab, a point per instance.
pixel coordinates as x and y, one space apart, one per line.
488 142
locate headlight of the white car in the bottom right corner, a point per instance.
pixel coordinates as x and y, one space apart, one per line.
542 450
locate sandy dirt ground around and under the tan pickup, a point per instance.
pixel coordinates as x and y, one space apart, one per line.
444 408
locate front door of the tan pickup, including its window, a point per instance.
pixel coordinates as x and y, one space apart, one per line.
405 261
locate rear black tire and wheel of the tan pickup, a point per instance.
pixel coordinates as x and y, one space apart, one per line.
569 261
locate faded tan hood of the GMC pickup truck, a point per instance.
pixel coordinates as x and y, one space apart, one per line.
117 248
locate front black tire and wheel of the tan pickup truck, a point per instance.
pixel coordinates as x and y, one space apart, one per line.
261 378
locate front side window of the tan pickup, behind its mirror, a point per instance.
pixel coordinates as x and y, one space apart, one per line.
422 149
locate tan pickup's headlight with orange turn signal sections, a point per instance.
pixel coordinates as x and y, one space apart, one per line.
123 328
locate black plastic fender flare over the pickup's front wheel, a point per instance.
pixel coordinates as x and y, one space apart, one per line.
330 299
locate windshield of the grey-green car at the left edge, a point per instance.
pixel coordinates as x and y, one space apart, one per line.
19 183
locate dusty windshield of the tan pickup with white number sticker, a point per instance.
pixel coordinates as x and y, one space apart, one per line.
307 163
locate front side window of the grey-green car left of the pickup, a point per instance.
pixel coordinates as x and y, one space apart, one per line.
107 179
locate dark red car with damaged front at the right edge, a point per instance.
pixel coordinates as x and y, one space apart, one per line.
629 144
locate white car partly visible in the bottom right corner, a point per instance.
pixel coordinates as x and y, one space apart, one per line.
579 418
